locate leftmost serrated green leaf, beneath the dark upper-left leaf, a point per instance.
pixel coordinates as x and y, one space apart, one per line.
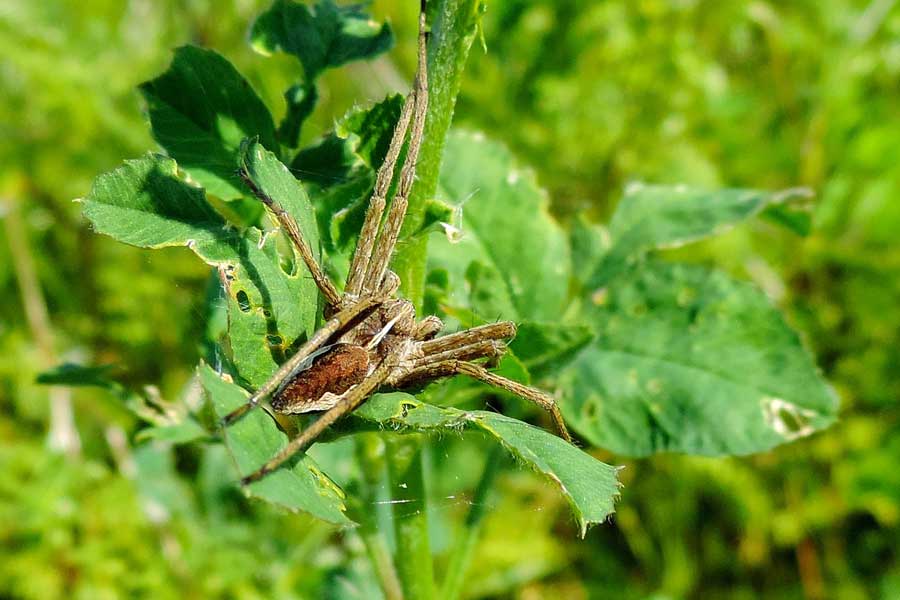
144 203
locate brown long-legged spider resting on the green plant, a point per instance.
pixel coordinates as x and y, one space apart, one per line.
372 339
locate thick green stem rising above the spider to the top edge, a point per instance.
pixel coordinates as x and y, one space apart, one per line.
452 31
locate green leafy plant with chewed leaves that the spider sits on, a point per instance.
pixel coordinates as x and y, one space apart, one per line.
647 355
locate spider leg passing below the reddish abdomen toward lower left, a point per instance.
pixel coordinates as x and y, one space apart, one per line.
347 403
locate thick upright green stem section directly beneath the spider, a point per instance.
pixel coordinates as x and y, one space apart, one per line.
407 484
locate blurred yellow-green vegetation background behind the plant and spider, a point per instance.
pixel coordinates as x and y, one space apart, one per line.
591 95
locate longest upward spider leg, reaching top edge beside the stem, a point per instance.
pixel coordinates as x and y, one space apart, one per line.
387 240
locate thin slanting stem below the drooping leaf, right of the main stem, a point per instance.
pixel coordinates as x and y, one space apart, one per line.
464 548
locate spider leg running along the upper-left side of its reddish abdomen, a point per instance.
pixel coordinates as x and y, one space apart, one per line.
336 323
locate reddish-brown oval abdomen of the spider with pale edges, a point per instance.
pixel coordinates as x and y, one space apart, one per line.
331 374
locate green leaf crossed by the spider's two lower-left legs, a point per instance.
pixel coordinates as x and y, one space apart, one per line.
254 439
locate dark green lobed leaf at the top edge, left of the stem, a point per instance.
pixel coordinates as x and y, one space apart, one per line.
322 37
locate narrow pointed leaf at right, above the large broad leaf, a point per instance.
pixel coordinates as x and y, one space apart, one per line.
655 216
